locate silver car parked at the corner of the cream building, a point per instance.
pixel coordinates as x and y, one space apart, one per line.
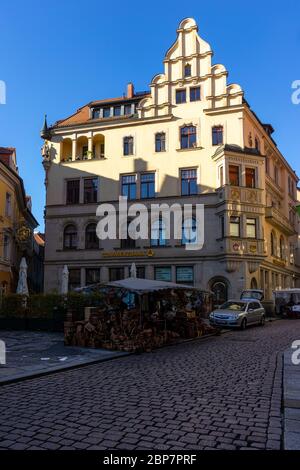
238 314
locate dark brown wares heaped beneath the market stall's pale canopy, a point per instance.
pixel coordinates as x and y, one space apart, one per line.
127 331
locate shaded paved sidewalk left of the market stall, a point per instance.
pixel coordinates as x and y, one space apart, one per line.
32 354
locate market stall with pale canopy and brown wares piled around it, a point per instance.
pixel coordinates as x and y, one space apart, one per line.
140 315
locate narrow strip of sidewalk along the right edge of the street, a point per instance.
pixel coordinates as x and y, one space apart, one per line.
291 402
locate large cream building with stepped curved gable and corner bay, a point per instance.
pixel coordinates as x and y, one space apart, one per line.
191 139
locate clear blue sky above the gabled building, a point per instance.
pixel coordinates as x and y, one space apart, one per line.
57 56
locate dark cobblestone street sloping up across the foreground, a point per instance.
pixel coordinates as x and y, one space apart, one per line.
224 392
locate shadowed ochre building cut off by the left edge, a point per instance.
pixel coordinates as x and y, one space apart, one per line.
17 223
